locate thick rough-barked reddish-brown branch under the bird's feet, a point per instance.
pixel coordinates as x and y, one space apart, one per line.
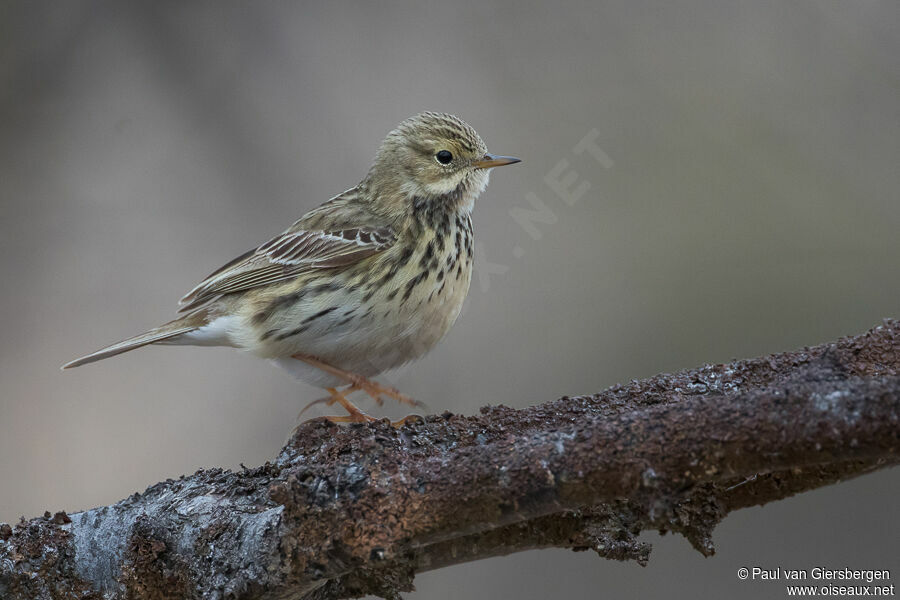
346 511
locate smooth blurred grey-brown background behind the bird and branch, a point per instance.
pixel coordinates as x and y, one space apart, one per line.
742 199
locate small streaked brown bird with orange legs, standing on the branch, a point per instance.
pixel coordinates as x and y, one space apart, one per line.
366 282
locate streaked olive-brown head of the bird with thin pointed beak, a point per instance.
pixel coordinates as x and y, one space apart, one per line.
432 157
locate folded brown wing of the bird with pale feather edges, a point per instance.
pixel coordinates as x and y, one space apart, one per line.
293 252
